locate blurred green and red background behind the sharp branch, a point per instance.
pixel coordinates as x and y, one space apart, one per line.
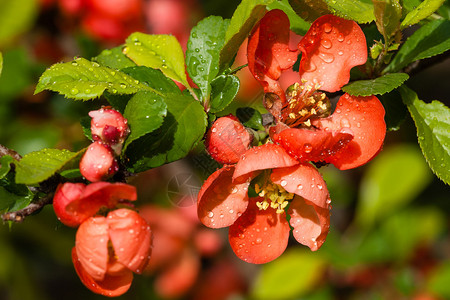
389 235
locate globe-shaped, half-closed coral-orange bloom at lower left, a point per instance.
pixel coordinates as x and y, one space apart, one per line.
108 251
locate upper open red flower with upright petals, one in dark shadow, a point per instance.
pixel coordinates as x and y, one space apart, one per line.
355 132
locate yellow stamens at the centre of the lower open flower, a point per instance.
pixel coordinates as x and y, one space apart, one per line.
274 196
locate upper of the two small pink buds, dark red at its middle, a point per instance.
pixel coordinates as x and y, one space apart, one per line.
110 127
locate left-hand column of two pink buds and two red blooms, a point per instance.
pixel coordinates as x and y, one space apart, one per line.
112 241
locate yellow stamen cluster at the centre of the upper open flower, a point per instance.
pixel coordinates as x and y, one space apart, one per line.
304 102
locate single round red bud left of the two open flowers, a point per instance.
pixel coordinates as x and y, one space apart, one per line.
227 140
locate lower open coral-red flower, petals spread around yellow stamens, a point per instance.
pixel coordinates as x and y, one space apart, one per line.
259 231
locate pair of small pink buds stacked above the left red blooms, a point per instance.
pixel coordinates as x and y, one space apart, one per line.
109 130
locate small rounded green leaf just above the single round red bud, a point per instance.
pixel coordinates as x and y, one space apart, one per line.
223 90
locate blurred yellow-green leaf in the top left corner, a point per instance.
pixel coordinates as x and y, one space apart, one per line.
16 17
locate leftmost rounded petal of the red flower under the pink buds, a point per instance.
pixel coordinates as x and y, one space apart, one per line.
66 194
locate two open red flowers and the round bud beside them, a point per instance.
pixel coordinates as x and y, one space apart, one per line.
253 195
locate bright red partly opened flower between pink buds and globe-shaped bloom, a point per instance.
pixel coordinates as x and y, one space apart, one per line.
75 202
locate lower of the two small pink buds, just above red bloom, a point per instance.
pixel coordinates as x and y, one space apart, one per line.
98 162
